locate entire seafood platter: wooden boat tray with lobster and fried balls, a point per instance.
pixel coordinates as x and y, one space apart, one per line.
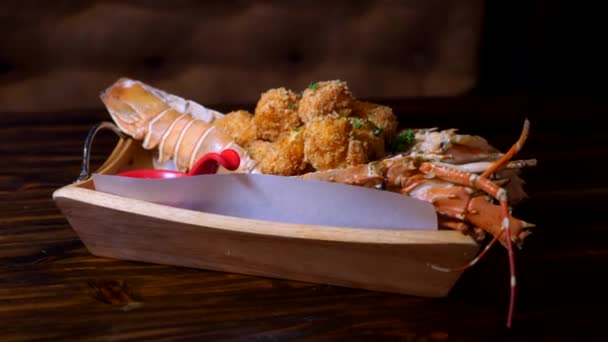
306 149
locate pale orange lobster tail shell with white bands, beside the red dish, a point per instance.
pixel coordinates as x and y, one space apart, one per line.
180 129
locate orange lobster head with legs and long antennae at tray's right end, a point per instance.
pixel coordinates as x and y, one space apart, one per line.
453 173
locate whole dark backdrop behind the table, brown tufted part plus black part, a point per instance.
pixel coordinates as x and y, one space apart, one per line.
60 55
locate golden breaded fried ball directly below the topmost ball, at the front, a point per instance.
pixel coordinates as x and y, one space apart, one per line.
326 141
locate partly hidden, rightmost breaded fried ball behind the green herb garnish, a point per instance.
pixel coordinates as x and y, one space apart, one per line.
381 116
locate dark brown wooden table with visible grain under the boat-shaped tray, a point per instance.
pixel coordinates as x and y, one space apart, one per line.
52 288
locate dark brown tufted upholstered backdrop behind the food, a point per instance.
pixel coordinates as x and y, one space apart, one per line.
58 55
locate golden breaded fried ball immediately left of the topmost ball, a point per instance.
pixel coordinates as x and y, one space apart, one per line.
276 112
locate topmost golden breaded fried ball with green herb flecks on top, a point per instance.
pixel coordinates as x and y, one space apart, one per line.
324 98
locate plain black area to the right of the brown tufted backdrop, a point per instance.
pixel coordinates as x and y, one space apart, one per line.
542 48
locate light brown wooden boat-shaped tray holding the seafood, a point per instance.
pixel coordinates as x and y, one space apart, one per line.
381 260
